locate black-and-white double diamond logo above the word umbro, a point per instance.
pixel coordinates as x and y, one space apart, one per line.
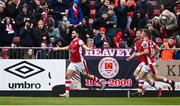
24 69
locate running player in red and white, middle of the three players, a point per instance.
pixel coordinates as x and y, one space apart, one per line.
142 70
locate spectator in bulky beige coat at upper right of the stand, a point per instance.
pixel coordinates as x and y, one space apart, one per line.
169 22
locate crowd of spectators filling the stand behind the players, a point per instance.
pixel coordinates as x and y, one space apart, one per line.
115 24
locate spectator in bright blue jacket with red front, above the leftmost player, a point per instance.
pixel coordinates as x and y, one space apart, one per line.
75 15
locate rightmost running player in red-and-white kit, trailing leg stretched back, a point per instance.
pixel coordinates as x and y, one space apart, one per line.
150 50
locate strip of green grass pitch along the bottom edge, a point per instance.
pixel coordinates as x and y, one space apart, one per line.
89 101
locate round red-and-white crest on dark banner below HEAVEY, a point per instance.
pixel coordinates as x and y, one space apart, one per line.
108 67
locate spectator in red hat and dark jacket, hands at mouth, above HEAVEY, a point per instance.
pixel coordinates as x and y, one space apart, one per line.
101 37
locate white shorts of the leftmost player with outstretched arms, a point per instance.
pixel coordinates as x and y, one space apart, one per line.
79 66
